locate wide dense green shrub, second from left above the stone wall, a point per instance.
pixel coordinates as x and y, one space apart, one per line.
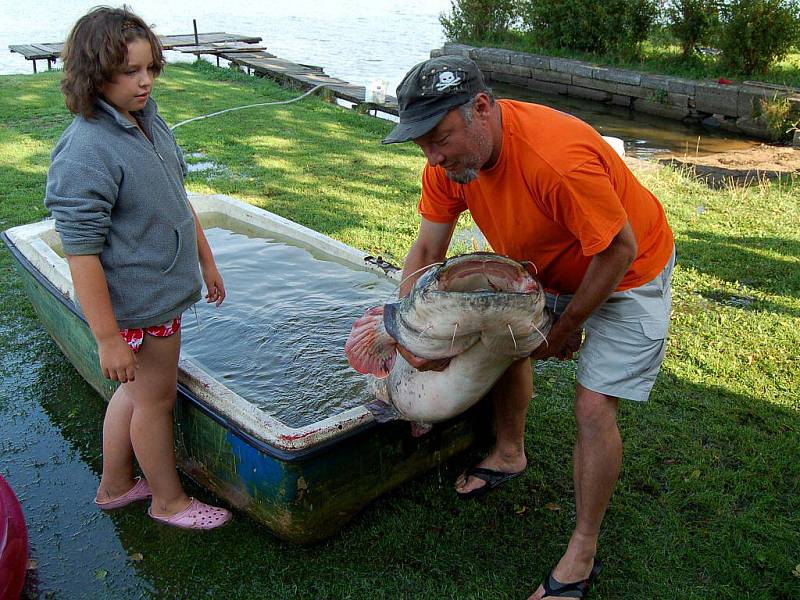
615 26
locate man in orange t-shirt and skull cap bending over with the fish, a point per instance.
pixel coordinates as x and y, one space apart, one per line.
543 186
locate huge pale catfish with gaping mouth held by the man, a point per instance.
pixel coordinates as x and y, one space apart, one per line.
481 310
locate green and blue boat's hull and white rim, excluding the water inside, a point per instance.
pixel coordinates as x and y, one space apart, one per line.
303 481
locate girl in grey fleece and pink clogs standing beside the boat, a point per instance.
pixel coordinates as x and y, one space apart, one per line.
133 243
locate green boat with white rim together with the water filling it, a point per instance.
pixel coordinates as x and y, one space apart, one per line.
268 416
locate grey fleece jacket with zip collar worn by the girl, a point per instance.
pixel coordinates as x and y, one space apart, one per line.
116 194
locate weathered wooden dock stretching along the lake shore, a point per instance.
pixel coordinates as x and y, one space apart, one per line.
243 51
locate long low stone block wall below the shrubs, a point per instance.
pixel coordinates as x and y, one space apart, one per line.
734 107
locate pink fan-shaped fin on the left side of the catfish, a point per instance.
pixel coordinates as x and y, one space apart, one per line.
370 349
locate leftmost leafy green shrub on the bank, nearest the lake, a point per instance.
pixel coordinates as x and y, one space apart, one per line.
477 20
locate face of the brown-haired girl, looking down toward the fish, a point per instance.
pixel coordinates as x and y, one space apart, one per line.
130 87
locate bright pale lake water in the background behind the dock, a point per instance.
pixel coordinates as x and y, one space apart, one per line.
356 40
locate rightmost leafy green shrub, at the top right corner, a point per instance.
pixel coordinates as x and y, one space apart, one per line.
757 33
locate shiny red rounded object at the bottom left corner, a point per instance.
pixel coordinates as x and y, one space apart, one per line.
13 544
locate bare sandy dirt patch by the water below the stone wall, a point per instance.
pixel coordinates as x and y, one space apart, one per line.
741 167
